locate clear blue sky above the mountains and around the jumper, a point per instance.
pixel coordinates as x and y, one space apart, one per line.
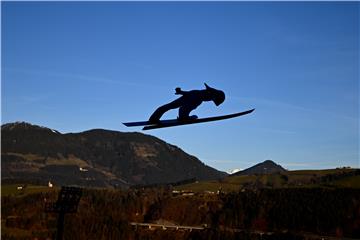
74 66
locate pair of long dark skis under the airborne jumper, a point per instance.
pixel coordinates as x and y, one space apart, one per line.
176 122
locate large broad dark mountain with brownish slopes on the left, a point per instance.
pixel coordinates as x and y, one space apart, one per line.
96 157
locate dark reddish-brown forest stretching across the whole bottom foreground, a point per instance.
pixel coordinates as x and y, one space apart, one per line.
106 214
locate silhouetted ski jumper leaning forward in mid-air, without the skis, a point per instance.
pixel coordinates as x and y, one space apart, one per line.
189 101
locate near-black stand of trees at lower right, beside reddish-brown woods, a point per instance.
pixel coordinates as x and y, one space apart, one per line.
334 212
